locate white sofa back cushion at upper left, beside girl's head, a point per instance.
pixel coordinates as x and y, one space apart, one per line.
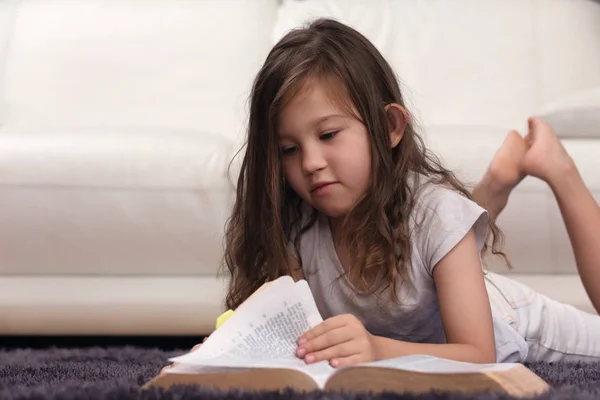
177 63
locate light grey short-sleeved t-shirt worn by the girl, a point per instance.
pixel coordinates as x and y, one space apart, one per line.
441 218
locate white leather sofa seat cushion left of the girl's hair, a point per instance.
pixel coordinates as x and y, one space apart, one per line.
114 202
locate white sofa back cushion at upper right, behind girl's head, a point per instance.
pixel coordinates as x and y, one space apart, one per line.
473 63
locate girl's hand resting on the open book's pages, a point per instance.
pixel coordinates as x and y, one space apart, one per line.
343 340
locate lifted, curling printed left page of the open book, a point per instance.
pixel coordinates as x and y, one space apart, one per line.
265 328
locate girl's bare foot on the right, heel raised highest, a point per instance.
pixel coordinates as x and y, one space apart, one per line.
546 159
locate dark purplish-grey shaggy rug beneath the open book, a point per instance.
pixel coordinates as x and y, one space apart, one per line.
119 373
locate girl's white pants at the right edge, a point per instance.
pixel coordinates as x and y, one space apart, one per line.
553 331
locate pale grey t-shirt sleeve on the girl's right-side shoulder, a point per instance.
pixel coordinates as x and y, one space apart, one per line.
442 218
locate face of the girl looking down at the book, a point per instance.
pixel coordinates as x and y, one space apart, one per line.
326 151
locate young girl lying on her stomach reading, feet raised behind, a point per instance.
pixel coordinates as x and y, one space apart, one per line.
337 188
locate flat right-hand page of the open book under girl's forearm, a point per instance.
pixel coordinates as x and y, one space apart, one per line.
425 363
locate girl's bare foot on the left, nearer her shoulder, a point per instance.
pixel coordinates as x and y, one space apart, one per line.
506 169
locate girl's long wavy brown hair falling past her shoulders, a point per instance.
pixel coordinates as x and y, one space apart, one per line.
267 211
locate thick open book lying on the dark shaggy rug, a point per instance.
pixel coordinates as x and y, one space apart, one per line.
255 350
